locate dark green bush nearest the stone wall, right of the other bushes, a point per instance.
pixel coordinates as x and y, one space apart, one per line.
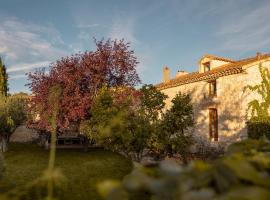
171 137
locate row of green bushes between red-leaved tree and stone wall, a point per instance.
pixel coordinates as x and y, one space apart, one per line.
131 125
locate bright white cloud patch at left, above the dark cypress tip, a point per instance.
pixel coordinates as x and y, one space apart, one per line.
25 42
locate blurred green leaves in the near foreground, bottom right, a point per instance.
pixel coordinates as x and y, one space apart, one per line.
243 174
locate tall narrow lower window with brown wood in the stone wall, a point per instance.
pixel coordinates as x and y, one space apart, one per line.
213 124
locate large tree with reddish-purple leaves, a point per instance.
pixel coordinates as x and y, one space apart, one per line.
80 77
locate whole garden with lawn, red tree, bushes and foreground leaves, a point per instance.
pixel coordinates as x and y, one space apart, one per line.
131 138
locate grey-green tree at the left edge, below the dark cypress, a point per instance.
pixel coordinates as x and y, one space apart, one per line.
12 114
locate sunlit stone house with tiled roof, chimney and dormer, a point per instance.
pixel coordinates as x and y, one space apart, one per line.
217 94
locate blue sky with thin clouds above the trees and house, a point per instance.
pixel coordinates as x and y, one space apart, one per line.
177 33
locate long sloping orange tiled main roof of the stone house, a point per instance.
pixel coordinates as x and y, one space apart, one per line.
234 67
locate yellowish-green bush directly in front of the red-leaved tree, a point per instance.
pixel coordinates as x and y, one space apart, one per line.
116 125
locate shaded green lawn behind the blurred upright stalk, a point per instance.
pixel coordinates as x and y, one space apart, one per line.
83 170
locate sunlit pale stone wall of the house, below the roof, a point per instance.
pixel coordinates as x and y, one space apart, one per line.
231 102
